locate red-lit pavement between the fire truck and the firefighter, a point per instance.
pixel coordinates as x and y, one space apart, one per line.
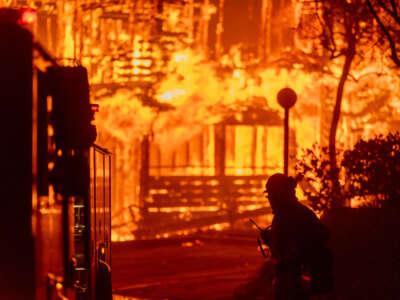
201 267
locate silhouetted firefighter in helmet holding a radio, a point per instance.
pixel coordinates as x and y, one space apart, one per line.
298 243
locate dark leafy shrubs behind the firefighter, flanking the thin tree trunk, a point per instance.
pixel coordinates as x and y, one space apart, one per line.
369 173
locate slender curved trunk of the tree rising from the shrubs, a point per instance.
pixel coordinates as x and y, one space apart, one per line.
350 53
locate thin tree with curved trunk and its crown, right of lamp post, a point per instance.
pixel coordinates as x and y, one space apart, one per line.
341 30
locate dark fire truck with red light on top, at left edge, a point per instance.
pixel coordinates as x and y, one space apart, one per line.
55 217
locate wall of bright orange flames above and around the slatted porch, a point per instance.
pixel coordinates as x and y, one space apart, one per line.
169 69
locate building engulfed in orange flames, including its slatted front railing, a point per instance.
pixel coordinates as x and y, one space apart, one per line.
187 93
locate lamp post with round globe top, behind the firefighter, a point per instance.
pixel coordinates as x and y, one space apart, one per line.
286 98
